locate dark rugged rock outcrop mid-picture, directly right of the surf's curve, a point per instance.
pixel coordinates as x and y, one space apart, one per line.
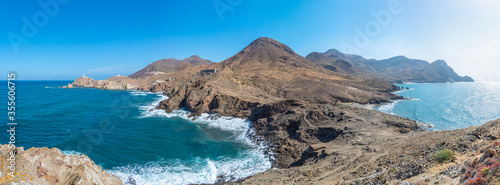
297 128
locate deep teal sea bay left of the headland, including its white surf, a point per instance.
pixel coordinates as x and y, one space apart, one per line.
122 132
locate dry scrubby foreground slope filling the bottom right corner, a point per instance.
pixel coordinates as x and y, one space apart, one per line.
464 156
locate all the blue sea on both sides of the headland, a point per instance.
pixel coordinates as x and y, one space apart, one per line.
124 133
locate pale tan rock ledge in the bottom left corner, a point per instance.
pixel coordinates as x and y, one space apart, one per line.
43 166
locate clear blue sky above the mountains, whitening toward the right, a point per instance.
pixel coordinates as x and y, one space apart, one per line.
101 38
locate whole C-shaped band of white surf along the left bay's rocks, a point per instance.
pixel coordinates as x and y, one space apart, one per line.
204 170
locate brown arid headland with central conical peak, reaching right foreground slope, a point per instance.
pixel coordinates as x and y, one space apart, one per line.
301 108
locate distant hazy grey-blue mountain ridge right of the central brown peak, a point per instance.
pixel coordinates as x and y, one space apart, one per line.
396 69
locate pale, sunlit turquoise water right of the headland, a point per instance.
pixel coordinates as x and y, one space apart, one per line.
448 106
